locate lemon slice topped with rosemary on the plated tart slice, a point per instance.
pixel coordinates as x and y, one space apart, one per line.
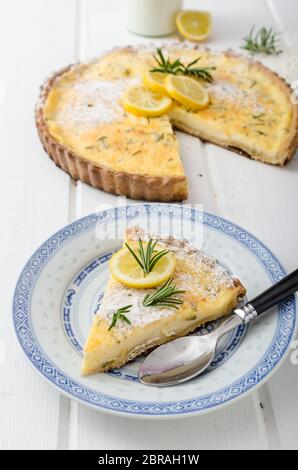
125 269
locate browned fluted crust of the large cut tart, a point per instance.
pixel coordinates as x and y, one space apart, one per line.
142 186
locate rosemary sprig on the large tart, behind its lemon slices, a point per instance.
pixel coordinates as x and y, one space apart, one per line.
178 68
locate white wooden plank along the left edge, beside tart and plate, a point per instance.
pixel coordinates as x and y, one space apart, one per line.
34 40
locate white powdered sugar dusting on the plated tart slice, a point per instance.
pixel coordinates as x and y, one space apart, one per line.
119 295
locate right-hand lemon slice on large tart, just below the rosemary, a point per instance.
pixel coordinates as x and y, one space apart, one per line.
187 91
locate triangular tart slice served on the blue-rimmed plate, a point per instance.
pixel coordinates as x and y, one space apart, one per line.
207 292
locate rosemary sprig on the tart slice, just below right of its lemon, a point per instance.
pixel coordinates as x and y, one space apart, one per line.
165 296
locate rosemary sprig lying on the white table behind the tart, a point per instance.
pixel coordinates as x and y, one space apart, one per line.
264 41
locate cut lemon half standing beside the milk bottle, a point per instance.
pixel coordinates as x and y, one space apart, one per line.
194 25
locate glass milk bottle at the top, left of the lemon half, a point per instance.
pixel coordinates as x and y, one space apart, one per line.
152 17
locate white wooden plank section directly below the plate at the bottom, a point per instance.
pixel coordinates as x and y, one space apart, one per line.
230 428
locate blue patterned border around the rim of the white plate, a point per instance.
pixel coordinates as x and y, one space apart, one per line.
25 333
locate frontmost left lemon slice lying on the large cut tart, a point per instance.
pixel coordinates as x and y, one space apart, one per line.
141 101
